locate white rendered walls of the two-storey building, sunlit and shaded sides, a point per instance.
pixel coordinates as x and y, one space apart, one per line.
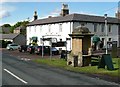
67 28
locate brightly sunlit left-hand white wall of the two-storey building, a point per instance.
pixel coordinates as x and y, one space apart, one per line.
50 31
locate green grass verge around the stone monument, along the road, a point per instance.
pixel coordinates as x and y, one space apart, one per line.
87 69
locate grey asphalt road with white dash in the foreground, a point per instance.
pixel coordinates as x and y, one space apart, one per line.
25 72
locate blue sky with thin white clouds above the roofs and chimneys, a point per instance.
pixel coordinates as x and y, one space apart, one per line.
13 12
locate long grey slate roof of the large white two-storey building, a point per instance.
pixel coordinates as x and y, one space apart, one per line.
74 17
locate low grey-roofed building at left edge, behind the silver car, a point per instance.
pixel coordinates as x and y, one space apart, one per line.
14 38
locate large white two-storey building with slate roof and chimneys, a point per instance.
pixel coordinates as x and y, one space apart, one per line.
57 29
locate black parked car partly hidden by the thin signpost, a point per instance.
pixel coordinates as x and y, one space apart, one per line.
46 50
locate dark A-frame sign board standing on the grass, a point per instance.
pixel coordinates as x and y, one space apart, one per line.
106 60
